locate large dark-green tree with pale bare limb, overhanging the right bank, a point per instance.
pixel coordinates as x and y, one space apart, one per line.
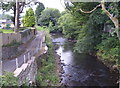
92 36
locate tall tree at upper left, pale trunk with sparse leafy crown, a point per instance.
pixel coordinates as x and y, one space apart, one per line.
17 8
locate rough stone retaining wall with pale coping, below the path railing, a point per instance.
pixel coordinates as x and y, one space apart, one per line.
27 72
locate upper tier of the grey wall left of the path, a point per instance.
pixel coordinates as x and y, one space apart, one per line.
21 37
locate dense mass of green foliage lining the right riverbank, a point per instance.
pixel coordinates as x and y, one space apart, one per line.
90 29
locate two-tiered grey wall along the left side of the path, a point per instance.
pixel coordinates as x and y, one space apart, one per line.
8 52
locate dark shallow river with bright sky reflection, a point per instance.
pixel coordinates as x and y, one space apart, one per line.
82 69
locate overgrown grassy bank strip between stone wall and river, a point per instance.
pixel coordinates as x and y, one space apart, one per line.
46 75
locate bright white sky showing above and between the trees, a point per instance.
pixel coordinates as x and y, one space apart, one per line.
47 3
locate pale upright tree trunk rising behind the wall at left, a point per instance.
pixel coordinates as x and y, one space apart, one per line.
17 17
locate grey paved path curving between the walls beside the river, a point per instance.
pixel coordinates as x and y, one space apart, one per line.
32 48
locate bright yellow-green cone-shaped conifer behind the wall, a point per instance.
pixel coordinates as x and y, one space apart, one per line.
29 19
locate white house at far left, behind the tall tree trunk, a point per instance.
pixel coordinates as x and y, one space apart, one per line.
6 24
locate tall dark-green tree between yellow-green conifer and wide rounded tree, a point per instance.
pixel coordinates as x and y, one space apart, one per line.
38 11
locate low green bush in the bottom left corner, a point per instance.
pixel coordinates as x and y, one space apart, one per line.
8 80
